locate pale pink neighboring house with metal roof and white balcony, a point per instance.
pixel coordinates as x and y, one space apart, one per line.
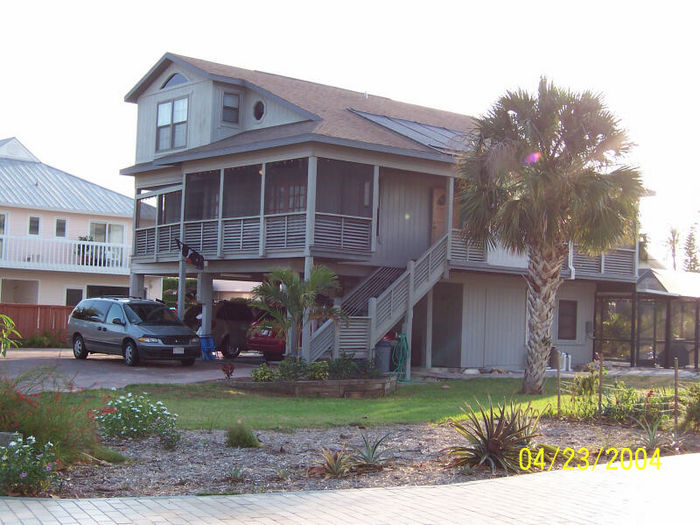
62 238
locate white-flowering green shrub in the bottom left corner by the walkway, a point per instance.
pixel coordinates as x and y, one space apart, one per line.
25 467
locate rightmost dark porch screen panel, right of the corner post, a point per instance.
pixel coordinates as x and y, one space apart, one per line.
344 188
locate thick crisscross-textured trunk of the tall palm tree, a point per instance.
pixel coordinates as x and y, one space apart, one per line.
543 281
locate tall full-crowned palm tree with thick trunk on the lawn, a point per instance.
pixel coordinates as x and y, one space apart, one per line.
540 172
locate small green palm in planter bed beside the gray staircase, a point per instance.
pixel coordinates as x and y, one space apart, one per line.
291 301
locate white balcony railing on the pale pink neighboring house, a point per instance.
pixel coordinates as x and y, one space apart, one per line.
35 253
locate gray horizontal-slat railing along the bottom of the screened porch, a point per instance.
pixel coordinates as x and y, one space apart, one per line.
282 234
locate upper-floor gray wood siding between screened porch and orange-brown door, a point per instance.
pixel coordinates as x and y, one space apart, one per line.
405 203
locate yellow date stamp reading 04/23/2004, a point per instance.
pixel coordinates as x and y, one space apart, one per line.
583 459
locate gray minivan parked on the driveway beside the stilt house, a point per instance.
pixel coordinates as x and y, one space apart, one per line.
133 328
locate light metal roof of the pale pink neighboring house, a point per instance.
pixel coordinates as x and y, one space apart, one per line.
27 182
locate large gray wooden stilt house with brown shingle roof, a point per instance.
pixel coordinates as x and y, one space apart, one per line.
255 170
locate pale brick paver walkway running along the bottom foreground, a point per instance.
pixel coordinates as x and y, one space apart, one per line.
665 496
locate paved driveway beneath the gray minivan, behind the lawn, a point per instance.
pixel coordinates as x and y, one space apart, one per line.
105 371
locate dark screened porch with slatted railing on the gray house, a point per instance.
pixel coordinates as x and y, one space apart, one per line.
284 208
